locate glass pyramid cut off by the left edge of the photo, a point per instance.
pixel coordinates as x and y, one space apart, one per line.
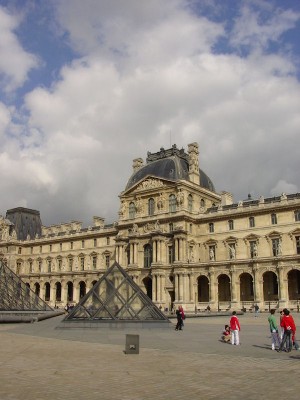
15 295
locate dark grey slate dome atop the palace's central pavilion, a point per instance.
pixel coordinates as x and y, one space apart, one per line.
172 164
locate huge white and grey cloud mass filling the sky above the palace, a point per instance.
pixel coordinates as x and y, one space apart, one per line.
148 78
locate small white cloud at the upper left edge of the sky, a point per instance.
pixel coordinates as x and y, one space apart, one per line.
15 62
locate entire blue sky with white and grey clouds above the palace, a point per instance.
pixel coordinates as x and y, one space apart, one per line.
88 86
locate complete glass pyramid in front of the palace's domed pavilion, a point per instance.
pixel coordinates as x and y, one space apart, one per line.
116 297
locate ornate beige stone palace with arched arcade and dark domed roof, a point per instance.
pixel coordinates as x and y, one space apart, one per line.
180 241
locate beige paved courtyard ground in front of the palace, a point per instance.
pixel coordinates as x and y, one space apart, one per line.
40 362
